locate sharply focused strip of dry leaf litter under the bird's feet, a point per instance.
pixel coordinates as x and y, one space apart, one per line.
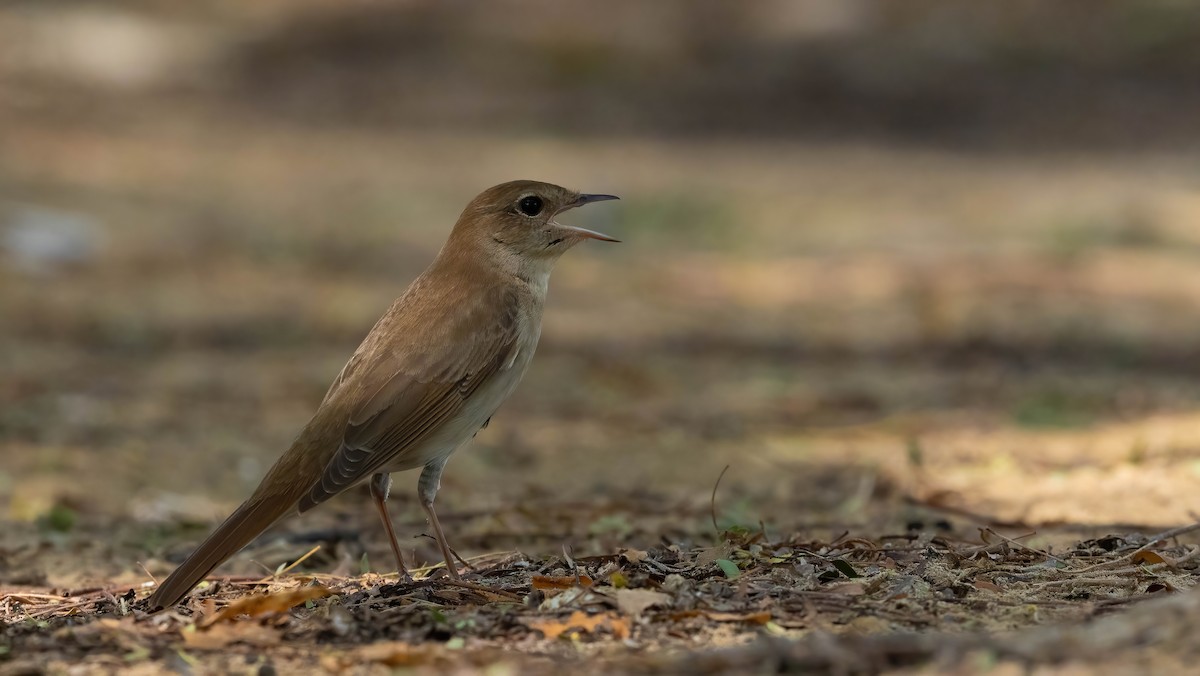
856 593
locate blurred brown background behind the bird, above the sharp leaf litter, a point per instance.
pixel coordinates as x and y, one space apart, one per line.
883 260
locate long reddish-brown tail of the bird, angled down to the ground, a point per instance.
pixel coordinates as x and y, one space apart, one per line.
243 527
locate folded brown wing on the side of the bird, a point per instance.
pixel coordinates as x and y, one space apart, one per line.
416 390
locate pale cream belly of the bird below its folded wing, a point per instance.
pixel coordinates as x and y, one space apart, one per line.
460 429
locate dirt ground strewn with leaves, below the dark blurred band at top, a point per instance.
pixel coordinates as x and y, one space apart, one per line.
838 408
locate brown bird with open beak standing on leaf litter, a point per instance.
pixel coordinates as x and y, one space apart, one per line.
429 376
